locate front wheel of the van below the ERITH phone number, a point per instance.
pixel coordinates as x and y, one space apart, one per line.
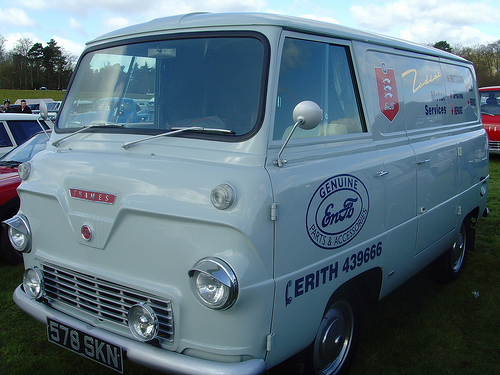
336 339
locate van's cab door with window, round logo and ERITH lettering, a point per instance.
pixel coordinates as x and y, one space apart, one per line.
329 194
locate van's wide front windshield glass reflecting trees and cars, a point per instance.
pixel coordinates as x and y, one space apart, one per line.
153 87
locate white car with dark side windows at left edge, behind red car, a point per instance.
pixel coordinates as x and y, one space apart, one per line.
16 128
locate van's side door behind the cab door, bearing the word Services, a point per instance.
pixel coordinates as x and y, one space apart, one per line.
435 150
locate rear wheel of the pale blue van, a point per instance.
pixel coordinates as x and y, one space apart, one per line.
449 265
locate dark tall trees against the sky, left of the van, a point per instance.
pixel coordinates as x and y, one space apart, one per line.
30 66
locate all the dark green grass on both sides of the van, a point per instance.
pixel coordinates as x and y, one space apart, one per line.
421 328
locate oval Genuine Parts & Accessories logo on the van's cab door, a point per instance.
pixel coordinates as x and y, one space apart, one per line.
337 211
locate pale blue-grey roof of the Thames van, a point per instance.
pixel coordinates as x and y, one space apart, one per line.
204 20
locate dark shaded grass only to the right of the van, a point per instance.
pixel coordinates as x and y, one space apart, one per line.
428 328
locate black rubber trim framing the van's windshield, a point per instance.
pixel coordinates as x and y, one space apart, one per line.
177 36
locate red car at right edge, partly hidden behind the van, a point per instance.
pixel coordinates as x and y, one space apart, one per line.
490 112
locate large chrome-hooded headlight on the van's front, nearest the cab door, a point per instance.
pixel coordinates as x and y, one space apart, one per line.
223 276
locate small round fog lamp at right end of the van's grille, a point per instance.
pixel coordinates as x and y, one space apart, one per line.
143 322
